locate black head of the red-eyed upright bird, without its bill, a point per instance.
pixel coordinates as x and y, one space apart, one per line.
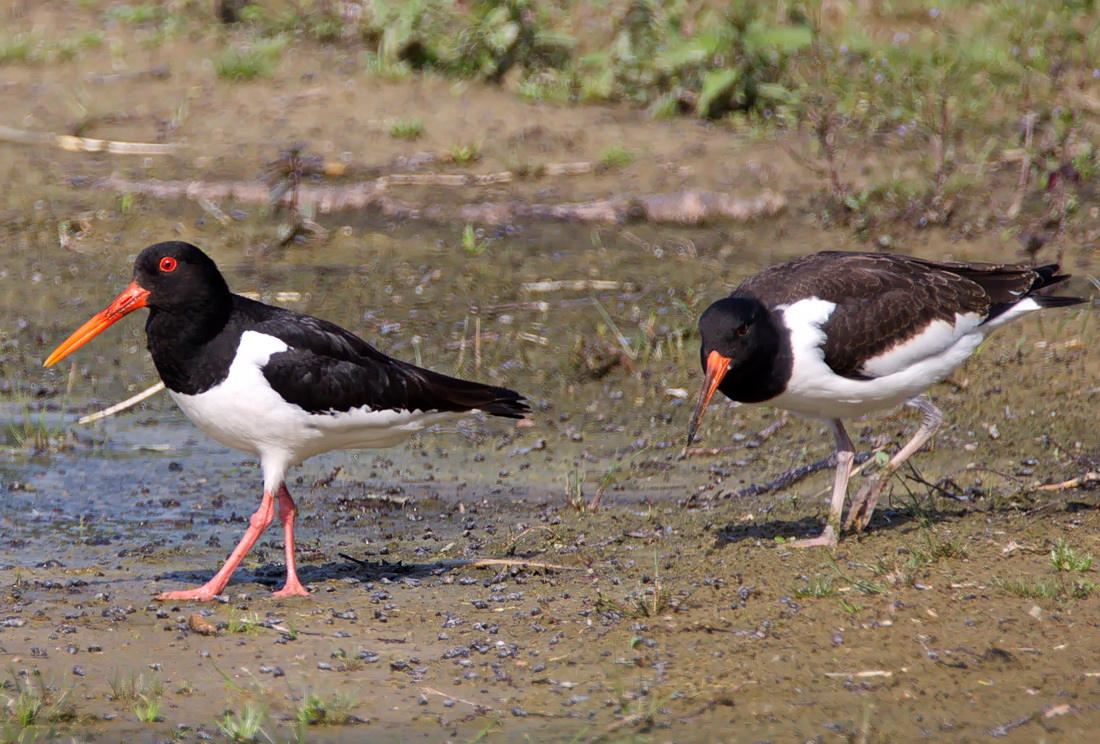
179 278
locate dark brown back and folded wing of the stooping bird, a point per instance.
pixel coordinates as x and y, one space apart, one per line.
884 300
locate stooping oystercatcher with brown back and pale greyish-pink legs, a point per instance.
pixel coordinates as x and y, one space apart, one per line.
839 335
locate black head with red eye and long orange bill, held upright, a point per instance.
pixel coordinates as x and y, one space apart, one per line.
174 278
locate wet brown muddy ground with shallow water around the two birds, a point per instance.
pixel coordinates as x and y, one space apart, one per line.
670 615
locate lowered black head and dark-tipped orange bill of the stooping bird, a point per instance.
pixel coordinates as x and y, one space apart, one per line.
734 333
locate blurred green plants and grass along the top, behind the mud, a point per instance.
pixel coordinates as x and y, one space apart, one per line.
960 85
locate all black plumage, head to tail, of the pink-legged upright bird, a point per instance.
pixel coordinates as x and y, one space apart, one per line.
196 324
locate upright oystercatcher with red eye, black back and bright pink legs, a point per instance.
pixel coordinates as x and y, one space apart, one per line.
277 385
